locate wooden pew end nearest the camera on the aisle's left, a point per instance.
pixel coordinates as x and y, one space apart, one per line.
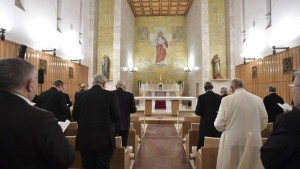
121 157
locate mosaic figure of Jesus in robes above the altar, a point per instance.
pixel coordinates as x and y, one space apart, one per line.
161 46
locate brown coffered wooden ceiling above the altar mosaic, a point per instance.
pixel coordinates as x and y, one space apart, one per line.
160 7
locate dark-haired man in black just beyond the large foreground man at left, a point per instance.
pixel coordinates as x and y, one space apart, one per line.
54 100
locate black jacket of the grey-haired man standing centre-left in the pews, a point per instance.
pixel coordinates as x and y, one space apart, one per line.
97 111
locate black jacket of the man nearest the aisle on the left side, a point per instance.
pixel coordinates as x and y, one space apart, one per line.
126 107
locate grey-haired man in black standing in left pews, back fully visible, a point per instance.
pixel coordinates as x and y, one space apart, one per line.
97 111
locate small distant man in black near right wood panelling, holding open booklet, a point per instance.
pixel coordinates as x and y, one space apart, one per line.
270 102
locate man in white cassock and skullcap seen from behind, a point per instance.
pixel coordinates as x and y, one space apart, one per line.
241 117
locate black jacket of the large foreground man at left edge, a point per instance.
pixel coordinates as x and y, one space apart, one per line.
31 137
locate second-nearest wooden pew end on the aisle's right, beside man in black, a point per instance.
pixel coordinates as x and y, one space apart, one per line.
192 138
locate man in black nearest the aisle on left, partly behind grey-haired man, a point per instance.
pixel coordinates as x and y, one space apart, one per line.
126 107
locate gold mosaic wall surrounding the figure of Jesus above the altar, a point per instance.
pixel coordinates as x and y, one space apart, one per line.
174 30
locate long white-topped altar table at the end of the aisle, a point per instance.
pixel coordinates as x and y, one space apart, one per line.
175 100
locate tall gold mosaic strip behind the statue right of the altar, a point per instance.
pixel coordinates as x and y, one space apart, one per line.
217 34
